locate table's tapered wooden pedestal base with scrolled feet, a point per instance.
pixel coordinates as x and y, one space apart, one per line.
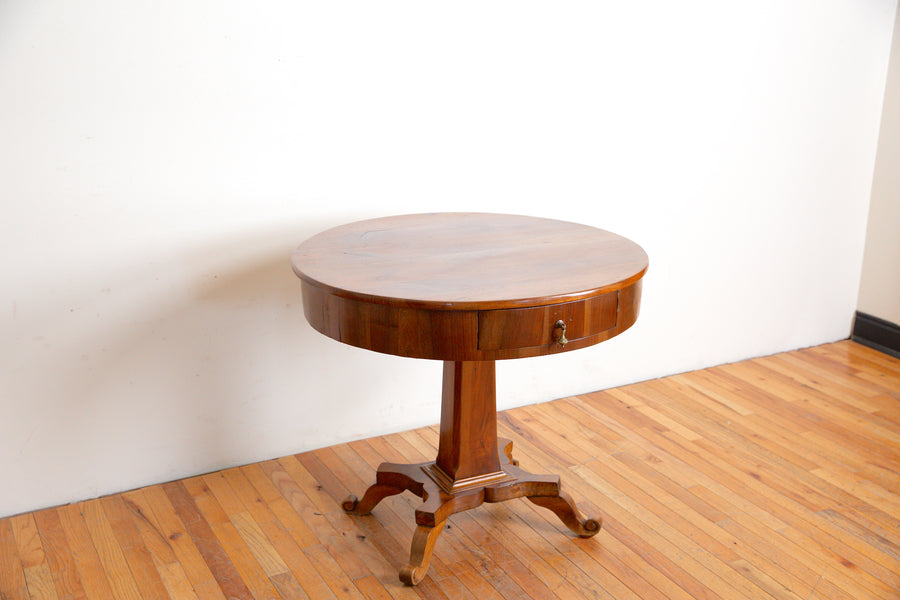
470 468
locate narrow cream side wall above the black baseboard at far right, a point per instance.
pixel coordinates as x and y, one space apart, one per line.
879 290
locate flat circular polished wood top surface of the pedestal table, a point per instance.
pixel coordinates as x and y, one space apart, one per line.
468 261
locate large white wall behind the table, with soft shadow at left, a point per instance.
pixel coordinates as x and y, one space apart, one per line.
160 160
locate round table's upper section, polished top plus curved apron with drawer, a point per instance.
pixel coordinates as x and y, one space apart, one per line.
469 286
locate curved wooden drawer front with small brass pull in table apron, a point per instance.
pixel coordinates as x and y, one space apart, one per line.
531 327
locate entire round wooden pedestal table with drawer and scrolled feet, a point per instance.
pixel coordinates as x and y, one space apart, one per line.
468 289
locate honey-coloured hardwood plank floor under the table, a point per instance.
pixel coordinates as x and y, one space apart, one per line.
777 477
